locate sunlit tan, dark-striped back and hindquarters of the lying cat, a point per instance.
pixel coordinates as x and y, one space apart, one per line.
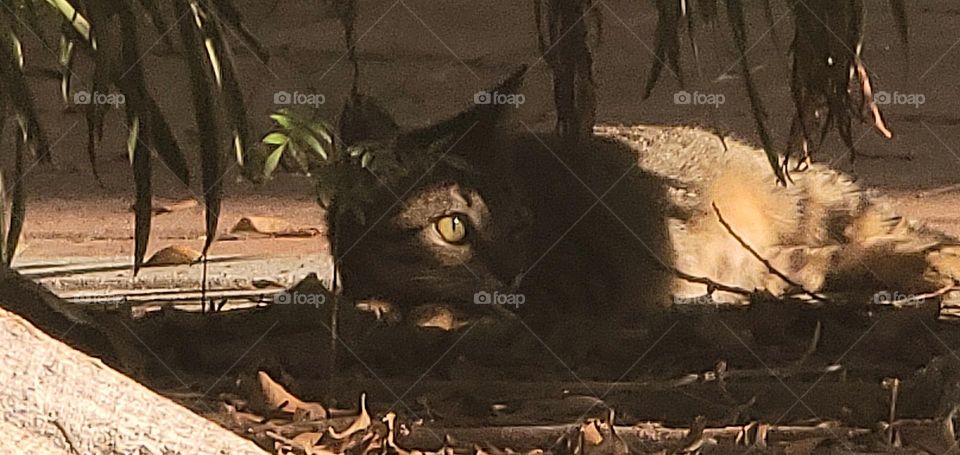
820 229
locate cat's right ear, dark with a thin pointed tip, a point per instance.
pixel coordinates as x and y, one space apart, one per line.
474 132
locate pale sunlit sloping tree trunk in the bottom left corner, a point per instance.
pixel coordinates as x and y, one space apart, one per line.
55 399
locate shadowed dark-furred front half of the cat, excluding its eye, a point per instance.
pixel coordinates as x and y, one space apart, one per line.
537 228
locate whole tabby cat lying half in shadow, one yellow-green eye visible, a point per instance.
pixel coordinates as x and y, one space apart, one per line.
477 213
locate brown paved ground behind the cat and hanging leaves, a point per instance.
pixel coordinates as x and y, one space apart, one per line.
425 60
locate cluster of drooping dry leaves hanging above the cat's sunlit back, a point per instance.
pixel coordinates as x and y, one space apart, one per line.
826 58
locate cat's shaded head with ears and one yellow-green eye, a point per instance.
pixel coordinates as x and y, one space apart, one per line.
441 217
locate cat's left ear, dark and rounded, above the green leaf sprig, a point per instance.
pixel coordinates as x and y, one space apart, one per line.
364 119
